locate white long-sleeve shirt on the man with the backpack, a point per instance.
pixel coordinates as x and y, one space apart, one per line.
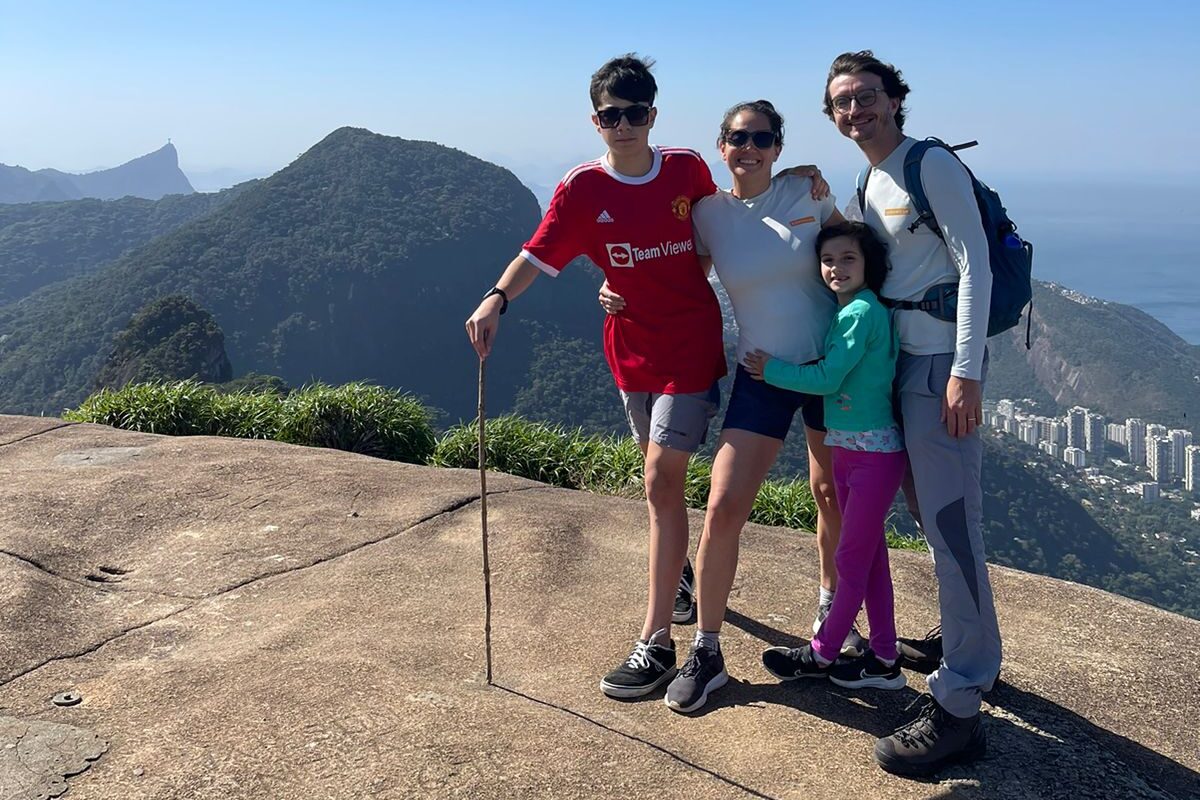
921 260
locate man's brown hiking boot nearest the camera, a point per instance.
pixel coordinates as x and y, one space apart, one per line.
932 742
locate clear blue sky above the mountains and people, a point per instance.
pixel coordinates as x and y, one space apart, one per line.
1058 91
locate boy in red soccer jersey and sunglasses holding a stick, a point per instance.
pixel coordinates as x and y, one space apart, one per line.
631 213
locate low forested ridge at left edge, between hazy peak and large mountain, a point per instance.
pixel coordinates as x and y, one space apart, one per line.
46 243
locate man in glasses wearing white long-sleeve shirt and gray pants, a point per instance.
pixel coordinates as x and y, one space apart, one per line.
940 381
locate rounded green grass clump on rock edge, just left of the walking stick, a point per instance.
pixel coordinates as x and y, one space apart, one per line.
359 418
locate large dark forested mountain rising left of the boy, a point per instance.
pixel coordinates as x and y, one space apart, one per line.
361 261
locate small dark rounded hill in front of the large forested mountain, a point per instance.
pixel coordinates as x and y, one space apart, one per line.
171 339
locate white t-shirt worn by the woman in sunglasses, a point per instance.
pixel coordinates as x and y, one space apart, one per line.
763 250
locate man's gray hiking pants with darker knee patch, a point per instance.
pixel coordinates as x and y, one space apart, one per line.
946 472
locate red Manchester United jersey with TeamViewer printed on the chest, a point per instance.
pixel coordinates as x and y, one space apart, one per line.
639 232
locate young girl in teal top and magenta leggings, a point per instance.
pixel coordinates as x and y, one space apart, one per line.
856 378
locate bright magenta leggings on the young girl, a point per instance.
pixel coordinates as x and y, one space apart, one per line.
867 484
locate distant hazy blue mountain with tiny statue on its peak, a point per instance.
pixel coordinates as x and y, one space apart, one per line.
153 176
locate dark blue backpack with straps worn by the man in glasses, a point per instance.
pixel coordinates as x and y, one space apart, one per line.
1010 256
